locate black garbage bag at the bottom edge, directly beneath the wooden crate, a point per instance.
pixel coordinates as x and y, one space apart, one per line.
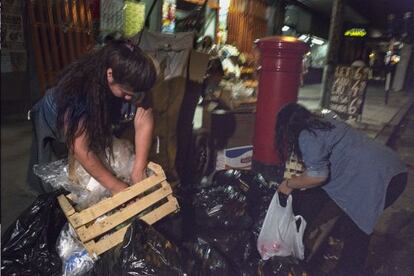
144 251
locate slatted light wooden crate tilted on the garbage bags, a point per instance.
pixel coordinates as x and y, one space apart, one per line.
152 200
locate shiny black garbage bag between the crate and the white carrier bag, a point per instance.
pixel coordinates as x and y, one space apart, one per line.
221 207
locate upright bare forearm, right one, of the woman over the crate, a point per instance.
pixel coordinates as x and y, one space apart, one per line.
144 124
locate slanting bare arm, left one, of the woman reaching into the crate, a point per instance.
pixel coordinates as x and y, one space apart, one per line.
94 166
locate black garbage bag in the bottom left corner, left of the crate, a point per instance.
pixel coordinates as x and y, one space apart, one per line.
28 245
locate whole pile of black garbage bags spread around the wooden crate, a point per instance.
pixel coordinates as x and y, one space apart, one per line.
215 233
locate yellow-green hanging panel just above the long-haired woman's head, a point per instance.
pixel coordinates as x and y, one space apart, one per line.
134 18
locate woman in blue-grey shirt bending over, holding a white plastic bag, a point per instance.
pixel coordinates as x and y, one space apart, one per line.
361 176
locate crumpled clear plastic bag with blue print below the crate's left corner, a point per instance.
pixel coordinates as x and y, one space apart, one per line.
75 258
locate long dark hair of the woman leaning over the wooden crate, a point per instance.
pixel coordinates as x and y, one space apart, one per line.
83 95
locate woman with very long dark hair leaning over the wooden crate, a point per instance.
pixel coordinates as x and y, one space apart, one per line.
83 107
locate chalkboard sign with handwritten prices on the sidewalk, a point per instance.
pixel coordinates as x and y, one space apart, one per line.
348 91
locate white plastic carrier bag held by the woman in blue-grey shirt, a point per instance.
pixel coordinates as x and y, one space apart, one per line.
279 235
